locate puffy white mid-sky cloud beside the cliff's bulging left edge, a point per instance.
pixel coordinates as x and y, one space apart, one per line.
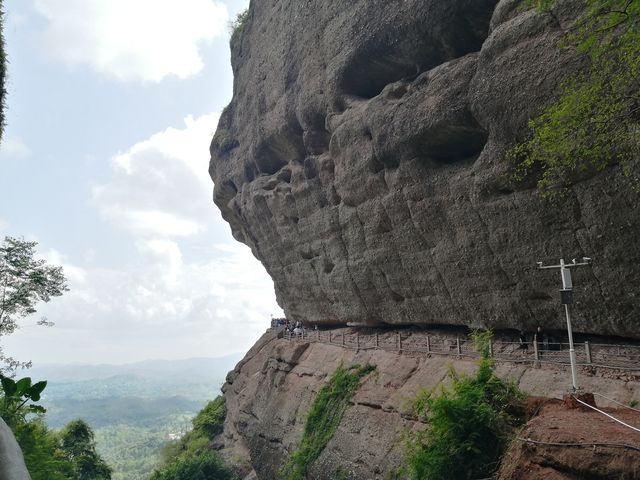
160 186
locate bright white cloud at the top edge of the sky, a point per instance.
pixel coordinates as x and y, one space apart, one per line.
132 39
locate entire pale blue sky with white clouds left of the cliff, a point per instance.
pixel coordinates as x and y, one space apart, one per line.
111 108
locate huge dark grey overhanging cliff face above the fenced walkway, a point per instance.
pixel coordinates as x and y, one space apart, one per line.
362 160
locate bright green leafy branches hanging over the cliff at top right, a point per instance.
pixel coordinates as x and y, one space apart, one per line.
596 121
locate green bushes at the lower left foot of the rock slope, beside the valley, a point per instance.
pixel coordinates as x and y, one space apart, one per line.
191 458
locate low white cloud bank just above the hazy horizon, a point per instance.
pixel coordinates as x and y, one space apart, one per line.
160 307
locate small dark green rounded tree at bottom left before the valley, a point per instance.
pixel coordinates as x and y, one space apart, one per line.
78 444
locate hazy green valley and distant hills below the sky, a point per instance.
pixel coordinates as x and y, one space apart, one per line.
133 408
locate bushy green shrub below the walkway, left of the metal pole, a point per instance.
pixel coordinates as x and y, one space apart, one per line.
469 424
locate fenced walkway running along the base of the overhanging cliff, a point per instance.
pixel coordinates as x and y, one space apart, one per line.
594 355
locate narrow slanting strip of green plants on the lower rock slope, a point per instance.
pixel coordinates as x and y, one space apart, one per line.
324 418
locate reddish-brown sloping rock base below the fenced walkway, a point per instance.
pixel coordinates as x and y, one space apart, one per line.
269 393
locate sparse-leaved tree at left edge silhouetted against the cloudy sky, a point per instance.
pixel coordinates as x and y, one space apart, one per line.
24 282
